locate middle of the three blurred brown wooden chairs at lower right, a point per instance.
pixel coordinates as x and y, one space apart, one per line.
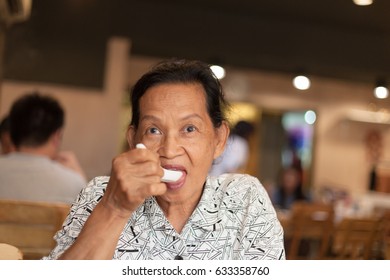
354 238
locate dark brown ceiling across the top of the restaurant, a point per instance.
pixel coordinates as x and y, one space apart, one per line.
64 41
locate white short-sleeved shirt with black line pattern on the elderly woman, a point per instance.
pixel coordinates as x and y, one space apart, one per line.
234 219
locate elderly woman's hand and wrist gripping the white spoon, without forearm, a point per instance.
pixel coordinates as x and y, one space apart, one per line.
135 176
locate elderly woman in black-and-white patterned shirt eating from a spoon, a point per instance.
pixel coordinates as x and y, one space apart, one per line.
177 114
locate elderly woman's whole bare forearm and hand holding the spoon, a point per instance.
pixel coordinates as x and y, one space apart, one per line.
135 176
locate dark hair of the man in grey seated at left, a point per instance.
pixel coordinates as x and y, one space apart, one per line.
34 118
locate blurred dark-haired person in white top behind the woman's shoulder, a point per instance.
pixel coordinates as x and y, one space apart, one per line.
236 154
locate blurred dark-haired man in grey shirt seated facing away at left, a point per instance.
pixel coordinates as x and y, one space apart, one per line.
37 170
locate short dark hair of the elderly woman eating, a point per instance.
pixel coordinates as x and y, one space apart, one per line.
182 71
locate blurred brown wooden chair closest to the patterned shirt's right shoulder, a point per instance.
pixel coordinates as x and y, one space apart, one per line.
311 225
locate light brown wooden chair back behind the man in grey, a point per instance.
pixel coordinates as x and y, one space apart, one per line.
30 226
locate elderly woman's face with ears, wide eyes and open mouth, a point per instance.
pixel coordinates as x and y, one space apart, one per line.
174 122
